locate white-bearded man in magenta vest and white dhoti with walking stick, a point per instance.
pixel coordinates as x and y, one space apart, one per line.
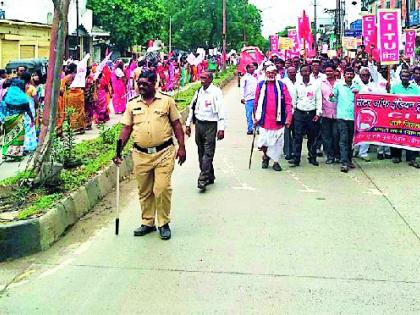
273 111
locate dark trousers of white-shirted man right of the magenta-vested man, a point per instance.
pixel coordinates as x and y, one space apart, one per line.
304 124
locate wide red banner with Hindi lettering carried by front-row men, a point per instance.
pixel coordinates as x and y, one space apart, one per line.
385 119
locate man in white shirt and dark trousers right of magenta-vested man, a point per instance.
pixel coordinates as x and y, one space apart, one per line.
307 112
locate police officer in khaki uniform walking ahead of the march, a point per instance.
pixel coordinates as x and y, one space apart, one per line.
153 118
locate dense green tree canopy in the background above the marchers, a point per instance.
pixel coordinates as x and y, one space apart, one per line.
195 23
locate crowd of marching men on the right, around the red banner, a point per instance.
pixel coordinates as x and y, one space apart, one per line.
318 101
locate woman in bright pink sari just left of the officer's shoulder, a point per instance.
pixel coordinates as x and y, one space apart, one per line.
119 82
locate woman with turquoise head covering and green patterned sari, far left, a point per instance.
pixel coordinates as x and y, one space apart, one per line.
14 111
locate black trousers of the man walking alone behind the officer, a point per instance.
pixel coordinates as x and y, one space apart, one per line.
205 138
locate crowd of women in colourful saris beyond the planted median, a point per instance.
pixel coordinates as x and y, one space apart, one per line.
89 92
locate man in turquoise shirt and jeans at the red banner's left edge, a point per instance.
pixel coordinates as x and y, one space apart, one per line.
343 94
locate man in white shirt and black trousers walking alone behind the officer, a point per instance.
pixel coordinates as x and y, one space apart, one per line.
207 111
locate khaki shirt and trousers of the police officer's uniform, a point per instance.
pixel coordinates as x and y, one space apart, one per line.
152 127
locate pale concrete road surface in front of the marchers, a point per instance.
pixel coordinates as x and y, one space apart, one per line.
308 240
